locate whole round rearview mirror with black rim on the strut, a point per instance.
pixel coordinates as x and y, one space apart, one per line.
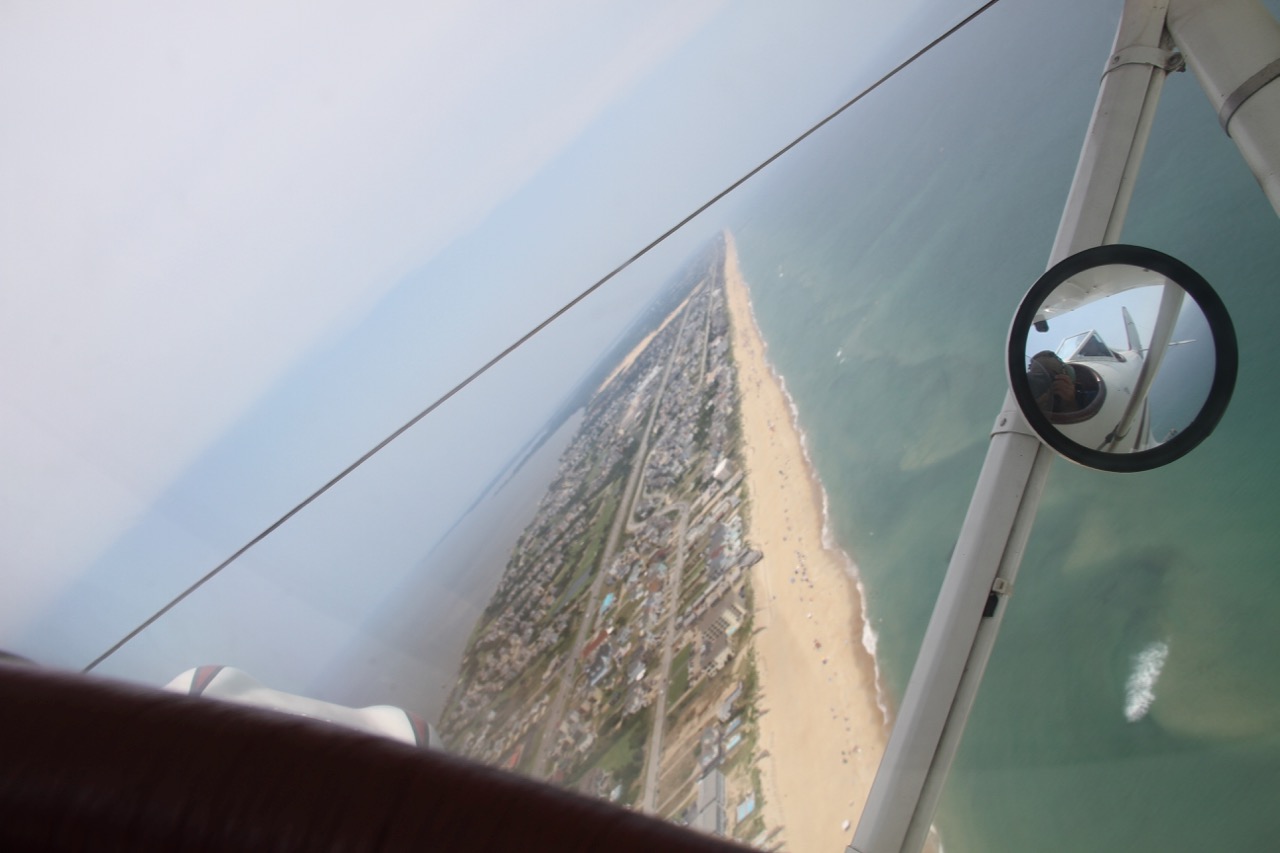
1122 358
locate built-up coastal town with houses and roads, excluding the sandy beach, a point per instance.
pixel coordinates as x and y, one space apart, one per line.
615 658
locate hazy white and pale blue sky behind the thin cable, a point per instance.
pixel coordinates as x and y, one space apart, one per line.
241 244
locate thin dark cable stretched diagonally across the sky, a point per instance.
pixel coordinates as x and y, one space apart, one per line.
529 335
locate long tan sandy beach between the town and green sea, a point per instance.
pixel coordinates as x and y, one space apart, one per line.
822 732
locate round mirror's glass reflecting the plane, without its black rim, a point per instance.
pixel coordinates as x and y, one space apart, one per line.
1123 373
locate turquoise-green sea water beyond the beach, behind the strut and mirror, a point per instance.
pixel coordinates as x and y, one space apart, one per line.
1133 703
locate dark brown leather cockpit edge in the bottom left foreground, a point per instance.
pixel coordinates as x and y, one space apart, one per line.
95 765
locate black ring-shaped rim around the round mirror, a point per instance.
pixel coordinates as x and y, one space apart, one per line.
1227 357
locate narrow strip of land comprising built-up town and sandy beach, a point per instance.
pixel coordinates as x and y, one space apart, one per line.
675 631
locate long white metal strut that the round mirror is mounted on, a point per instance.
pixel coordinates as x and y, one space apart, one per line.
989 553
